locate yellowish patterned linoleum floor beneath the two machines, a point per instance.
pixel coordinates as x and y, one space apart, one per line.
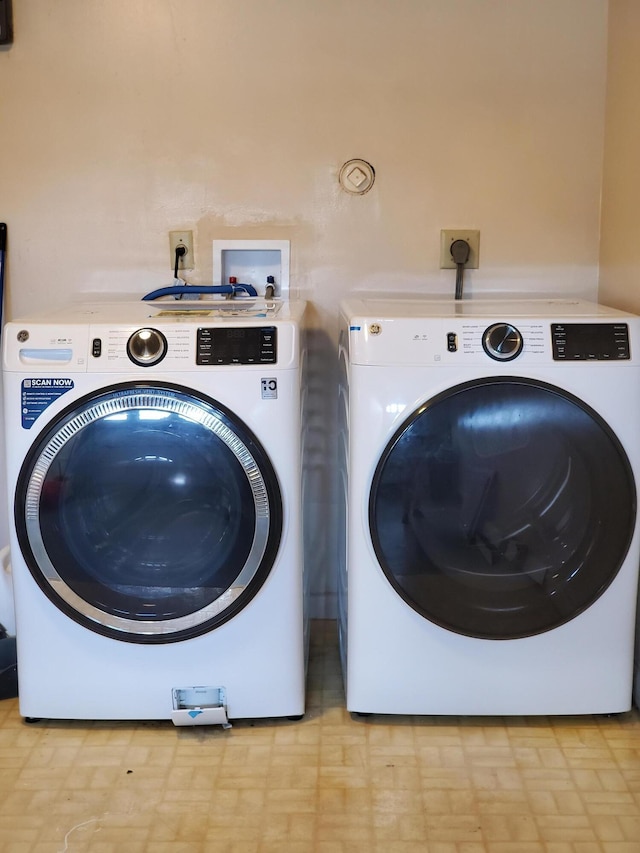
328 783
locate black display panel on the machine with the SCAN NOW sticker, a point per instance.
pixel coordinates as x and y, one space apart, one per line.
237 345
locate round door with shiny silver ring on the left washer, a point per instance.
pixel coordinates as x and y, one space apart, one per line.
148 513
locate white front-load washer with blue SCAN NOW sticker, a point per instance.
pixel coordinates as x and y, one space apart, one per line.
154 471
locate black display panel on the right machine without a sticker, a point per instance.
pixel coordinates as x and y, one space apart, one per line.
590 341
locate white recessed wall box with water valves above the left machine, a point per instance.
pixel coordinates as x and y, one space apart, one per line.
251 261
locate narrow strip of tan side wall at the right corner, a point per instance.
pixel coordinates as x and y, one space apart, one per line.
620 235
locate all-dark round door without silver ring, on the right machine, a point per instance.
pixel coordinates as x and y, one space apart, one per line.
502 508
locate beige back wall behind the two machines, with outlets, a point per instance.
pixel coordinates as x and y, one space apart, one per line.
122 120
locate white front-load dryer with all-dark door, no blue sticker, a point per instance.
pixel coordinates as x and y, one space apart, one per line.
490 458
